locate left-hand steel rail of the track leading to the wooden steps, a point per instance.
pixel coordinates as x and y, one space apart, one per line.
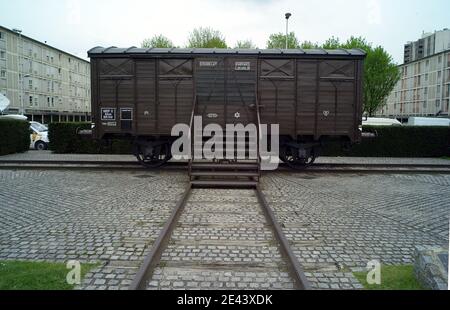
154 256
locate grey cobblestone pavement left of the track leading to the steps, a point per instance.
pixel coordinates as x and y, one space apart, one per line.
111 218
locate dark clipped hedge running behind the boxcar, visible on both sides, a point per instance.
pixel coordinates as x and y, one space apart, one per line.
391 141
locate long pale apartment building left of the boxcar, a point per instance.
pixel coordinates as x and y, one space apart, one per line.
41 81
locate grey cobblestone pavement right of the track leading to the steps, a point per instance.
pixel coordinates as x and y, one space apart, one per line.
337 223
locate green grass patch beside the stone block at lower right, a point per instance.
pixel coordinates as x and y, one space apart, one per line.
392 278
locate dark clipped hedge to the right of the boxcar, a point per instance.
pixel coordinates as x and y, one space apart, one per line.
398 141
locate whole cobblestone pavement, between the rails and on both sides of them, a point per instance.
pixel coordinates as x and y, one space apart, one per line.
335 223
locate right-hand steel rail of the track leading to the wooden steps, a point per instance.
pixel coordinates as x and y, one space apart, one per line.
295 268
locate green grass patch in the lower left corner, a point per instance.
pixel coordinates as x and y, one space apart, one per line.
21 275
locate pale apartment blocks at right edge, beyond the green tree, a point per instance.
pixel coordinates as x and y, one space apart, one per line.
424 86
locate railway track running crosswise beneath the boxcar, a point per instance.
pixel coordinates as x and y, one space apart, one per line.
128 165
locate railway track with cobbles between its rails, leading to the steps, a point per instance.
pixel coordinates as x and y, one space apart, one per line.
221 239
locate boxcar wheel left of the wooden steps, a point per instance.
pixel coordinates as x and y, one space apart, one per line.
153 157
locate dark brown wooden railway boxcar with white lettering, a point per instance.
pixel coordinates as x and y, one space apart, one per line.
313 95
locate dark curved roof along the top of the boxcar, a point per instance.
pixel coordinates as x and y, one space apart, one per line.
97 51
